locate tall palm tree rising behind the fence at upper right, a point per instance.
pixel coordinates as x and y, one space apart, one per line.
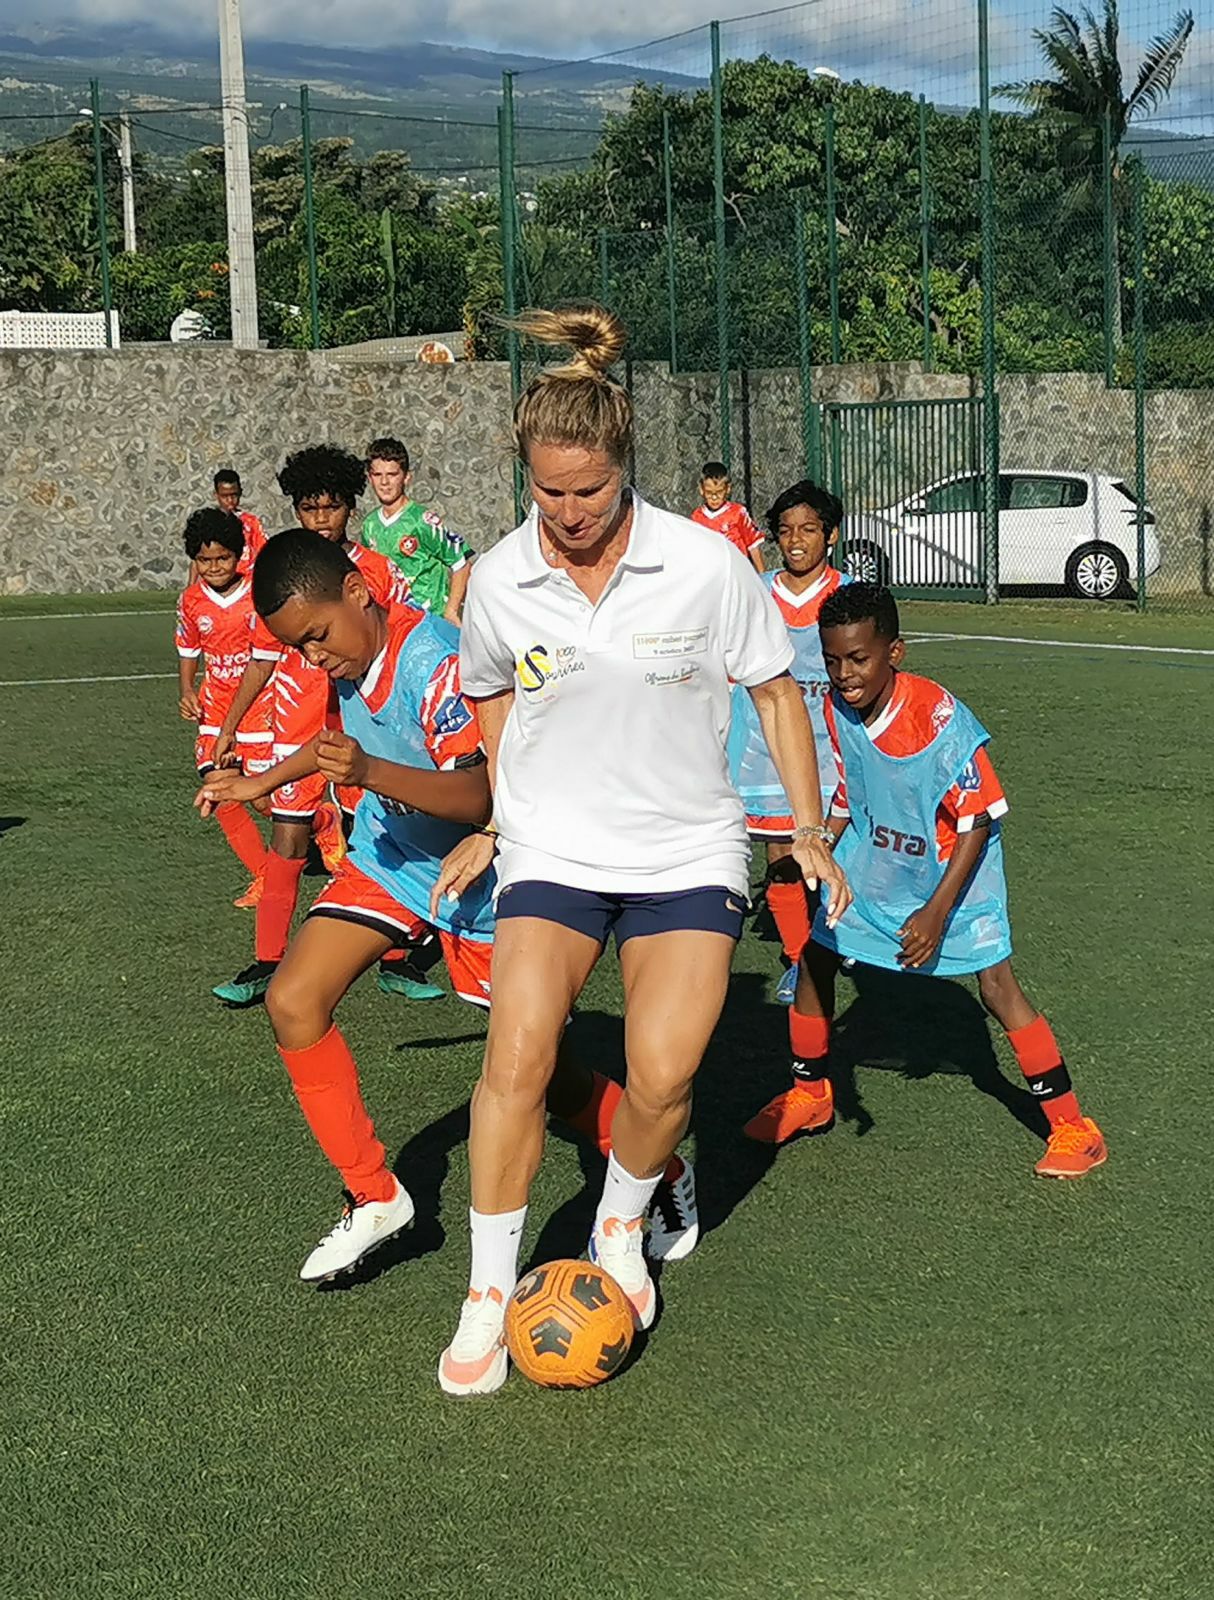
1087 94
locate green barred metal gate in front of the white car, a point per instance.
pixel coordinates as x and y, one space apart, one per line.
912 481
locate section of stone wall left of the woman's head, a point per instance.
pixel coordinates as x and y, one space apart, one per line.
106 452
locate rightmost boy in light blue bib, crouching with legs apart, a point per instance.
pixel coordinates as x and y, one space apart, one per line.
917 818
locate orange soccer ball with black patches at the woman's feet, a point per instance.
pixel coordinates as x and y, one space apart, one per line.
569 1326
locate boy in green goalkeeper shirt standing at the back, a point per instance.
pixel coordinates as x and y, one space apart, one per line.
436 562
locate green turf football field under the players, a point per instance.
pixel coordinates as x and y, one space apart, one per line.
898 1369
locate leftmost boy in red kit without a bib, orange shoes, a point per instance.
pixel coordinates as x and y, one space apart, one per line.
215 628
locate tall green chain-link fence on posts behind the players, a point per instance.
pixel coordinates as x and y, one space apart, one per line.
992 225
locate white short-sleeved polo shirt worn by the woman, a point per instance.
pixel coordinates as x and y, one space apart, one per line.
612 772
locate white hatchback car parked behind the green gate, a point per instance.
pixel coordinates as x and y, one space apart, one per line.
1071 529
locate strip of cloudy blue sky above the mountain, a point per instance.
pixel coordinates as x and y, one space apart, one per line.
908 44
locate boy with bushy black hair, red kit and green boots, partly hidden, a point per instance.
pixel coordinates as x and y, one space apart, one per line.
324 486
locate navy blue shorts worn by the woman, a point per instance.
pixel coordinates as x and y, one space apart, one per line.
628 916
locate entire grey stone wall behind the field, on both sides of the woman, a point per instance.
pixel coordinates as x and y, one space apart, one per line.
108 452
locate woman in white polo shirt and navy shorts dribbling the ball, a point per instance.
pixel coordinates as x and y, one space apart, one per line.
601 641
